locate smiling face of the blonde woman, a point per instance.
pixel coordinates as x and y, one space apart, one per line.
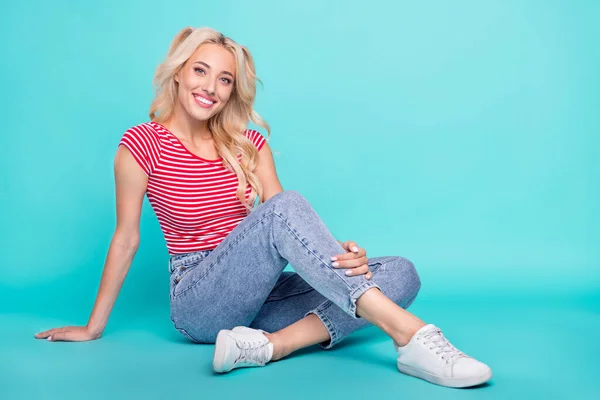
206 81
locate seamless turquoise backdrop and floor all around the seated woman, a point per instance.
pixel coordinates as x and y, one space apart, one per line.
462 135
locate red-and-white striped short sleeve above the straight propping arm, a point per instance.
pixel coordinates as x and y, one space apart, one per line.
143 143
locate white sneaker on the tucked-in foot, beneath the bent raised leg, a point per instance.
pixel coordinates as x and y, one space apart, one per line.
241 347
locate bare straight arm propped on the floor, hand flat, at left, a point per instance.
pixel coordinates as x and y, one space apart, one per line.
131 183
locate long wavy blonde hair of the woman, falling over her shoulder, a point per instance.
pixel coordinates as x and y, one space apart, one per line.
228 126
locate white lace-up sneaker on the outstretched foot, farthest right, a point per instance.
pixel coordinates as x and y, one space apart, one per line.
430 356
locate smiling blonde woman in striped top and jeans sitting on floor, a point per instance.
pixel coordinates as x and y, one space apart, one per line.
202 171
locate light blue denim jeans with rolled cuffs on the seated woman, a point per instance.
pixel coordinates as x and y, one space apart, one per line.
242 282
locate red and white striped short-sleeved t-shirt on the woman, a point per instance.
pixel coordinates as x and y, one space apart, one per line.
194 199
